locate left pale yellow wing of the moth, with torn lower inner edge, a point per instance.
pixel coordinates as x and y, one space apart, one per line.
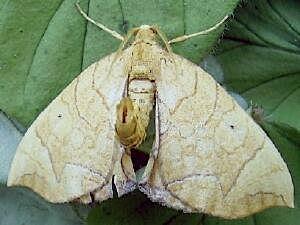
71 150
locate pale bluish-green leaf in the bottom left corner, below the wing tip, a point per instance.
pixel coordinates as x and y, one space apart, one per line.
21 206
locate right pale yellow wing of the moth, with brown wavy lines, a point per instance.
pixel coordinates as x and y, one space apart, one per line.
213 158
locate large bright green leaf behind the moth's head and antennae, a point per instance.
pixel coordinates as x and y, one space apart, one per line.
44 45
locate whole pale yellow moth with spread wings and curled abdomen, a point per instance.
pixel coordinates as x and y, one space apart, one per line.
208 155
